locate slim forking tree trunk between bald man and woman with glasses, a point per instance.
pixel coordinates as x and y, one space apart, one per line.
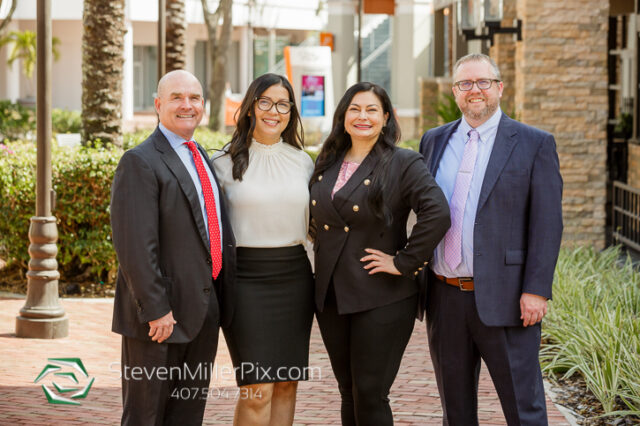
219 44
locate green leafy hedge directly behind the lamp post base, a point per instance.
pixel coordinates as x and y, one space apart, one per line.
82 181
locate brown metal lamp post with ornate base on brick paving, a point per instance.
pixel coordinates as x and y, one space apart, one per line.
42 316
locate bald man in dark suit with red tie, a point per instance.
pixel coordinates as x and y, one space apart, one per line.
176 254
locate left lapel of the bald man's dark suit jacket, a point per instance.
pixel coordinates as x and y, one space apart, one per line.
183 177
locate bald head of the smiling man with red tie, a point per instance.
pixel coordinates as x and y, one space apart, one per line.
180 103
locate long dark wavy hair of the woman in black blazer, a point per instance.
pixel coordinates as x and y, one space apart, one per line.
339 141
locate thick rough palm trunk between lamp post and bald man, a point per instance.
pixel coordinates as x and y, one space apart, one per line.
102 63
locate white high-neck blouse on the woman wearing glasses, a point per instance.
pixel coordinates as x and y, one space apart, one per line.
270 206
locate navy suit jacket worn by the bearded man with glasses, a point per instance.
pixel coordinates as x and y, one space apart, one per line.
518 226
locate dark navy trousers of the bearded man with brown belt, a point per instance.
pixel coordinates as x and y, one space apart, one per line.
458 340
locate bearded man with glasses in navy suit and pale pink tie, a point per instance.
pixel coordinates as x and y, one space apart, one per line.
491 275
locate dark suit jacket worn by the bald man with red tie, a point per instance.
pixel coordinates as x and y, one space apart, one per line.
160 238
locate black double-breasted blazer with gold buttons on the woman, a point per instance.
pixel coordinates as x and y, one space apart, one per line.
346 226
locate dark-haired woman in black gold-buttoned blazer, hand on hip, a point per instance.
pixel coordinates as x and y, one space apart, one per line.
362 191
